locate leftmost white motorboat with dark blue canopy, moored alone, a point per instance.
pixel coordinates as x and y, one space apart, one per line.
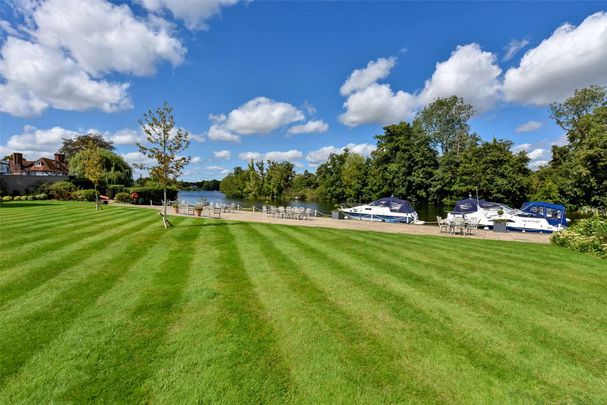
388 209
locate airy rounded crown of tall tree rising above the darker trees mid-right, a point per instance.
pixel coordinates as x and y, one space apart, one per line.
445 121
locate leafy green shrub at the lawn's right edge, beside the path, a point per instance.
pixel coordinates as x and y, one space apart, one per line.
587 236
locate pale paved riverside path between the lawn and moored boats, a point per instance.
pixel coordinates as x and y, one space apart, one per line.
358 225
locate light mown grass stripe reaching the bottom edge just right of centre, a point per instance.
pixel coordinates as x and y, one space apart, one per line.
359 350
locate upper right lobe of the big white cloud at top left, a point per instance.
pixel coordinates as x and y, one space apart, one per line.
104 38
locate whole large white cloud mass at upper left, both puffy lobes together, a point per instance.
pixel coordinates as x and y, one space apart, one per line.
70 45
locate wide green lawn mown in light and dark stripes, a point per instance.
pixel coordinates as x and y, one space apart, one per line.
109 306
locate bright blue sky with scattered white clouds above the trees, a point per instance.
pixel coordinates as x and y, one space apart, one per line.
287 80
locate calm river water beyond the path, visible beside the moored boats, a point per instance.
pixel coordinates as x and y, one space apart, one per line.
425 212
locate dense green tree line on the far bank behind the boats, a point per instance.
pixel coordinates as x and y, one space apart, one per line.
438 159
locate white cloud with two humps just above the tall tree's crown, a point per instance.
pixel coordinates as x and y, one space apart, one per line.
469 73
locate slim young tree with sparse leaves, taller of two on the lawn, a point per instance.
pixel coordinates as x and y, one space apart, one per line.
165 145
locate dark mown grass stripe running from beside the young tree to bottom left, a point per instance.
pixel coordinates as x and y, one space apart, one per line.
118 369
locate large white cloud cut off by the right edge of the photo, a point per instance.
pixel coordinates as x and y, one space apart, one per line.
571 58
